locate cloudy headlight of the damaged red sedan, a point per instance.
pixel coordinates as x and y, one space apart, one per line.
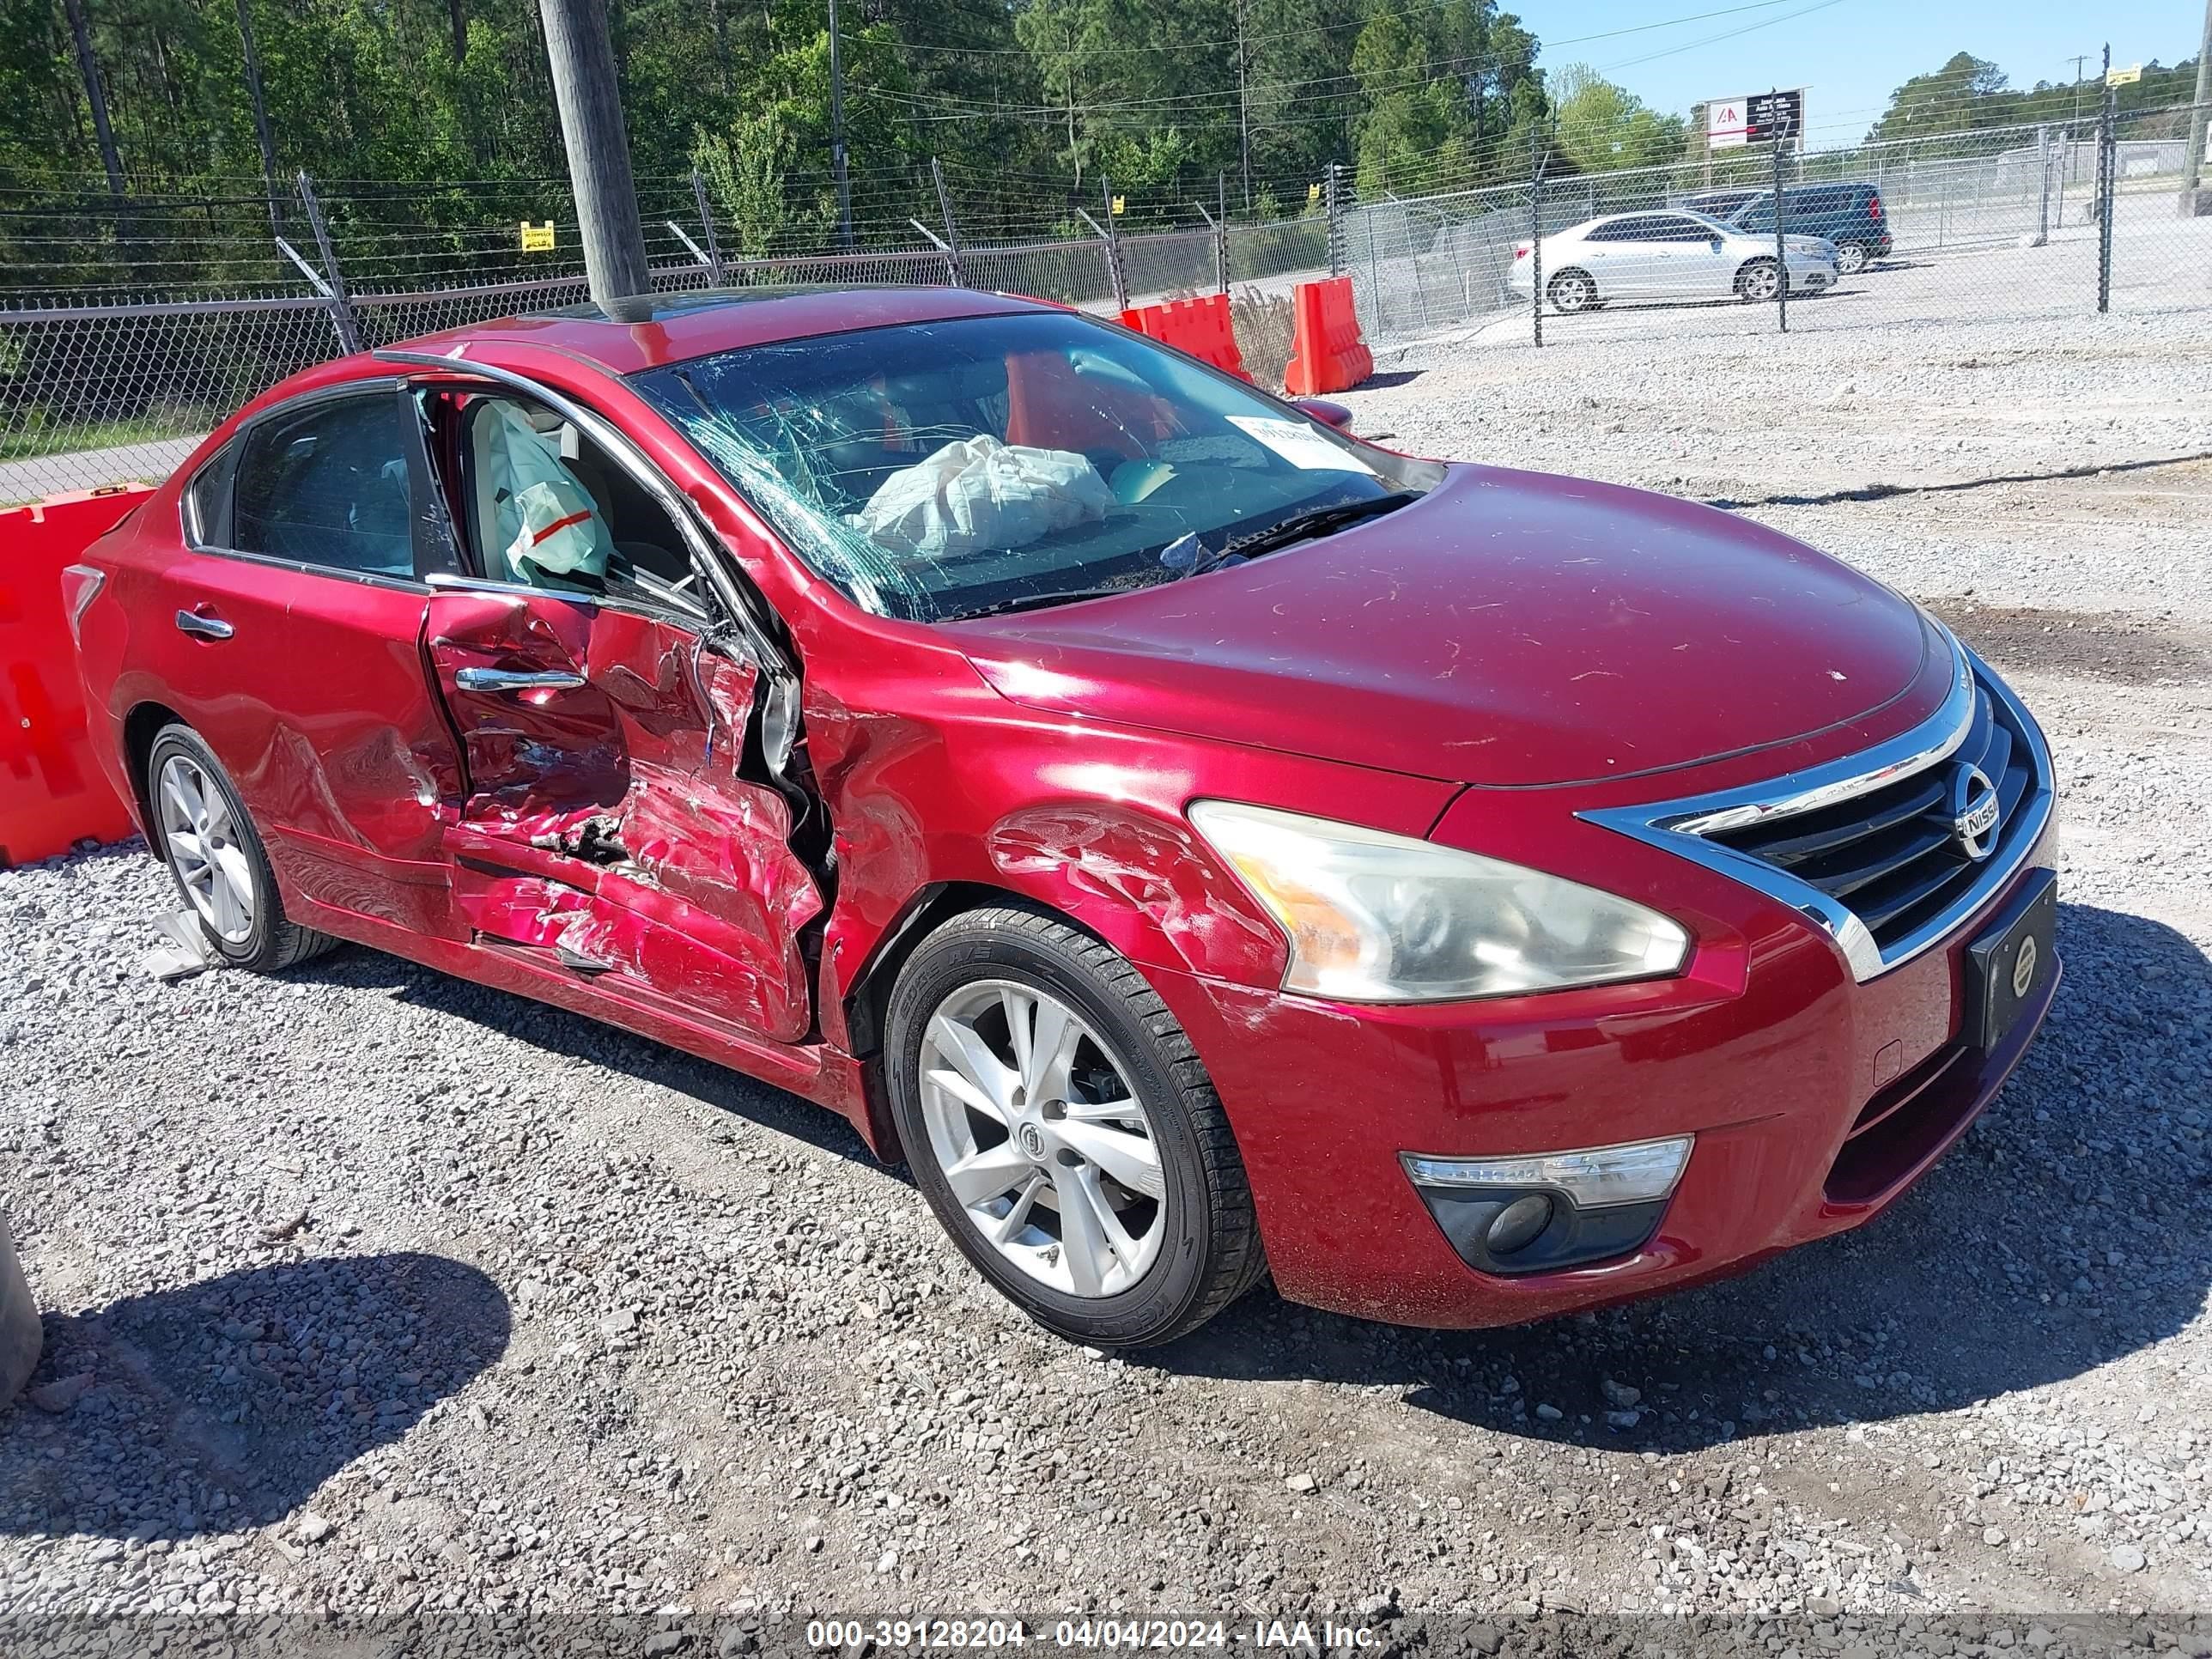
1388 919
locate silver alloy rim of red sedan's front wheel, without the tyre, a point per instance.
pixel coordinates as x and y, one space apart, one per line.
1041 1138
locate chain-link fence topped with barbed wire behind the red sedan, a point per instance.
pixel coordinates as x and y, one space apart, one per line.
118 351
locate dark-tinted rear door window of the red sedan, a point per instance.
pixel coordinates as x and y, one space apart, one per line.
328 486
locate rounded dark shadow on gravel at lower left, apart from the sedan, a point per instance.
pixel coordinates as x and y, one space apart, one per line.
227 1404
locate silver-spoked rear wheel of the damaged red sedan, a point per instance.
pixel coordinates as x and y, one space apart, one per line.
218 862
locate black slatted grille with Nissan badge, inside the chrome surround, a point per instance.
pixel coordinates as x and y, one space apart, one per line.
1897 855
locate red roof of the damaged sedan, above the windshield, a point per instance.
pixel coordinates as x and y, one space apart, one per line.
658 331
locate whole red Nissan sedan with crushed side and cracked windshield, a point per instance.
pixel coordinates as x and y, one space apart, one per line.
1198 842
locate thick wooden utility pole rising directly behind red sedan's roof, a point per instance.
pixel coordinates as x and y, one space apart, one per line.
583 61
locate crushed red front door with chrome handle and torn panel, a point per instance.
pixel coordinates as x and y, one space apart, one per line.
607 824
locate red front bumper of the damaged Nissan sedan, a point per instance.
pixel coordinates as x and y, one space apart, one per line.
1771 1072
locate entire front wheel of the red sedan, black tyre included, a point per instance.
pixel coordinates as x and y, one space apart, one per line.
1065 1134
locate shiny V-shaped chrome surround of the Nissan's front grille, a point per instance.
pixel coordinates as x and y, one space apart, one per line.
1682 826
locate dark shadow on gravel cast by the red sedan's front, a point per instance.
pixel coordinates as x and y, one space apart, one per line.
2069 1229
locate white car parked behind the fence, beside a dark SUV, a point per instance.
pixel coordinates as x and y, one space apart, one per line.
1669 255
